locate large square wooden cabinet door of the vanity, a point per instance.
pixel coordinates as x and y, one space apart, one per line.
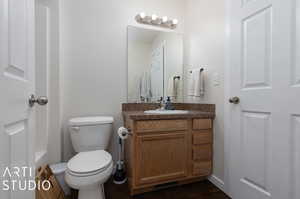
161 158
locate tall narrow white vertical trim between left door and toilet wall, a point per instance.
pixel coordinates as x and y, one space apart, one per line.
54 150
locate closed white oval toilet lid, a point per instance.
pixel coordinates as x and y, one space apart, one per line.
90 161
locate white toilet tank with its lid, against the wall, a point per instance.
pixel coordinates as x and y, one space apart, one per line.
90 133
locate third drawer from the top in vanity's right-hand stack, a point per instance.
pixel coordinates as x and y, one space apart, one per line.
202 152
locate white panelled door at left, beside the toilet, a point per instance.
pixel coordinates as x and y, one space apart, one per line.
17 61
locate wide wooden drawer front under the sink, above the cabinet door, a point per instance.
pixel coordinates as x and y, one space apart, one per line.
161 125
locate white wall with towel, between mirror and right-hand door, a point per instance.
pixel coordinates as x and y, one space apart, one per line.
205 47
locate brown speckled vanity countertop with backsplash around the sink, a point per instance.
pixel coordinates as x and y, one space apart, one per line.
135 111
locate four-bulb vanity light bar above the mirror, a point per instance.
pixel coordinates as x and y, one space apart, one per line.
156 21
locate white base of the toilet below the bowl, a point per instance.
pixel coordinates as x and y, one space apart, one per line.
94 192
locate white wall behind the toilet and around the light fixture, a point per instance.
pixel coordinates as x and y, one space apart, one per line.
93 54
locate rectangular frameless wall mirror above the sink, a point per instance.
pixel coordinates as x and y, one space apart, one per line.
155 65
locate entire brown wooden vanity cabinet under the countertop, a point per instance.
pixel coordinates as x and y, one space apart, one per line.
167 152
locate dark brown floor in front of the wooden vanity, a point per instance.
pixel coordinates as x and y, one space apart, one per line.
199 190
